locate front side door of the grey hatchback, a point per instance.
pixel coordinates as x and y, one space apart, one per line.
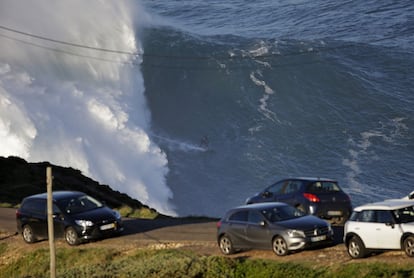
257 232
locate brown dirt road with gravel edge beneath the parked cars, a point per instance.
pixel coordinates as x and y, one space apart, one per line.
195 235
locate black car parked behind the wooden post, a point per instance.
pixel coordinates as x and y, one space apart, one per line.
76 217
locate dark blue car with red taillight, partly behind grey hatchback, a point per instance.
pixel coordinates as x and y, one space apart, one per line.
317 196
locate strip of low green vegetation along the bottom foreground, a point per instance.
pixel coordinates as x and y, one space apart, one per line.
105 262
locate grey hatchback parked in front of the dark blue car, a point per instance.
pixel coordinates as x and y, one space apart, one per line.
276 226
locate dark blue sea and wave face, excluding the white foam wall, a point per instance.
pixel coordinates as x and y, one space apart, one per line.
280 88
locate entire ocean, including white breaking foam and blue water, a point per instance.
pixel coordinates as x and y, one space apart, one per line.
128 91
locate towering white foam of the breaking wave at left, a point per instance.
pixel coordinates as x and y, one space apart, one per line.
77 106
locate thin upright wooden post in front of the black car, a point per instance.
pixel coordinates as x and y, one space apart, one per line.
50 223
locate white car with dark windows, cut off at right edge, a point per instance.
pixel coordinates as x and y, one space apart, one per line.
384 225
